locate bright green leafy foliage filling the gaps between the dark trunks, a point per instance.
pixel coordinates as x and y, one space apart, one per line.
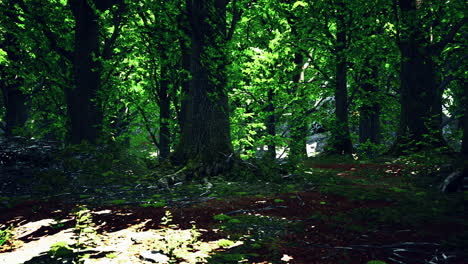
285 73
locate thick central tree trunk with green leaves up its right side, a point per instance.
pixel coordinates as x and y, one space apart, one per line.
206 130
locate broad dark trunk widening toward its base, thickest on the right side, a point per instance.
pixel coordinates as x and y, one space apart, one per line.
420 95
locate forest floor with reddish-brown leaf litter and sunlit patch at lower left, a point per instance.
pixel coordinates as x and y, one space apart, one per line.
332 213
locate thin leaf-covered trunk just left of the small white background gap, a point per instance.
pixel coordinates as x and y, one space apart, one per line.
298 123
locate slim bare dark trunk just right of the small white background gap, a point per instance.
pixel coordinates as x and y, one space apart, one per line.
341 139
